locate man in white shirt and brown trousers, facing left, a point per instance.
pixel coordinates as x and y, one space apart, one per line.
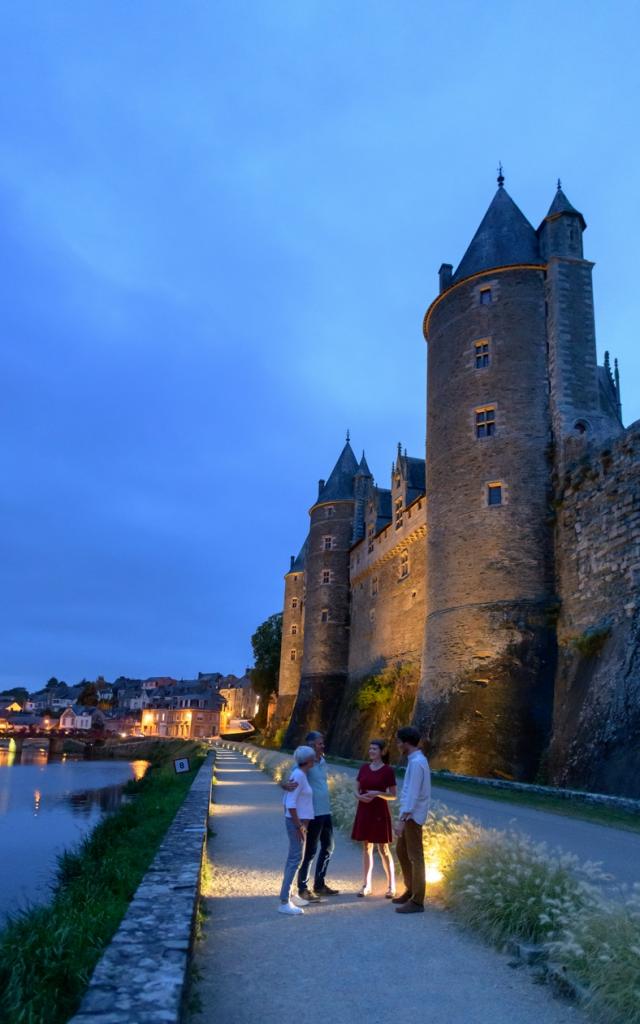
414 808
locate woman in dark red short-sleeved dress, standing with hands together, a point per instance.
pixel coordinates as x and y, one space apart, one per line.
375 788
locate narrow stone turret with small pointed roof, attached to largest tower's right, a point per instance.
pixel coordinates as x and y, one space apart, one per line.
580 399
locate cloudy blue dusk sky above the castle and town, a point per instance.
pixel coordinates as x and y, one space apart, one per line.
222 225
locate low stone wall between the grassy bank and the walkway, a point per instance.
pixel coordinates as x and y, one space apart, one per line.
142 976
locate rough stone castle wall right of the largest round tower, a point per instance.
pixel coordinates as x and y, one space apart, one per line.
596 738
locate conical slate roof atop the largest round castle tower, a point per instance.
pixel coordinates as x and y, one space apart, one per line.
505 237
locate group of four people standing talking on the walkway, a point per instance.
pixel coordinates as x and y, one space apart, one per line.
310 827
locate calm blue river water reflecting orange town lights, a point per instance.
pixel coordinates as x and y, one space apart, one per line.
47 808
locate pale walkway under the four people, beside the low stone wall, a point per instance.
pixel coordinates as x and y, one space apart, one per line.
346 958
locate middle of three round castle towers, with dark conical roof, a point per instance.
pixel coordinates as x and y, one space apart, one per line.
326 655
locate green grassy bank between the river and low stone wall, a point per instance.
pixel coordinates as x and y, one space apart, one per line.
48 954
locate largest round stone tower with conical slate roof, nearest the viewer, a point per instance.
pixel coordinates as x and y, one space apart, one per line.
486 696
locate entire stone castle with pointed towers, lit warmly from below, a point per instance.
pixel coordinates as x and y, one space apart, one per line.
491 595
